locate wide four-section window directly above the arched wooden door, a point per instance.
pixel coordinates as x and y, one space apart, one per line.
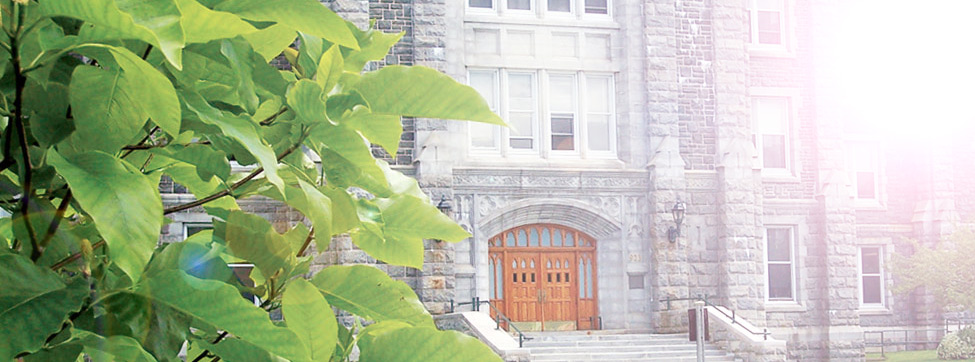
550 113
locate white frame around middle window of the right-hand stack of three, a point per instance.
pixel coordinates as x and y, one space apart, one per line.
793 164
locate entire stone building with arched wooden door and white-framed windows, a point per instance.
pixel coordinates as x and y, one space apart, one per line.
620 109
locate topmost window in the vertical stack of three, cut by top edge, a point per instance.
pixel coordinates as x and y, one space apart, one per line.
769 25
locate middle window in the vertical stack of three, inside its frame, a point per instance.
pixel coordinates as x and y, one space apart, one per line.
771 137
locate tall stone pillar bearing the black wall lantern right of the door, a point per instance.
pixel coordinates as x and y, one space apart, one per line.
669 260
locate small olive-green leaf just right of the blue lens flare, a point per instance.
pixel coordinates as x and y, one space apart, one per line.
251 237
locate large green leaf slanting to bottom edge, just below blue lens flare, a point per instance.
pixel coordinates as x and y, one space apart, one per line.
219 305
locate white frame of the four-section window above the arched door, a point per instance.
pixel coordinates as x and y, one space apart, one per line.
541 121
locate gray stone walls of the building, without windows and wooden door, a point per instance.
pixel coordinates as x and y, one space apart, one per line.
685 74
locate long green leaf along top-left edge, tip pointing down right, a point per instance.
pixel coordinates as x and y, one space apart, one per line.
107 14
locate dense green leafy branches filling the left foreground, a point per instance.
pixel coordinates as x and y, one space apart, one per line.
102 98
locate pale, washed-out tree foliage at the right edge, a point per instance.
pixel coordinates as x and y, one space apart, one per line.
946 270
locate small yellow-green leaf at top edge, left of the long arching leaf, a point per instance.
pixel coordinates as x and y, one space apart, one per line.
203 25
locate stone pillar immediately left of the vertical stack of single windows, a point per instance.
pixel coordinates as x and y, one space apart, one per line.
739 198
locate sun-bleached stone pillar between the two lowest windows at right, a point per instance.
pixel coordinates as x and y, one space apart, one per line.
841 319
